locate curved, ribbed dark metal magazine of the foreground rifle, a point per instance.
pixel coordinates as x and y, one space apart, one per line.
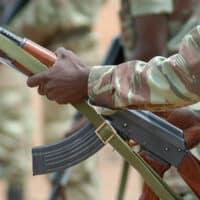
69 152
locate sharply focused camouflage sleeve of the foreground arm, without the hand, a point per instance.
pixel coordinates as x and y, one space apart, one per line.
159 84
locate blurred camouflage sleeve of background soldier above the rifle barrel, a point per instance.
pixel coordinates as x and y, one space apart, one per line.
43 20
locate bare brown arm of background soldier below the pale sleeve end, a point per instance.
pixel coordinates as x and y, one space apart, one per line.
154 43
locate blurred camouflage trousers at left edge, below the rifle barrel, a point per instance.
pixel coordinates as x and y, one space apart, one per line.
16 116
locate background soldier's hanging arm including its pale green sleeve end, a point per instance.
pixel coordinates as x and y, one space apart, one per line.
149 17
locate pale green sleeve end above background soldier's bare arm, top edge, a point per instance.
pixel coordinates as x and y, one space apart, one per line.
144 7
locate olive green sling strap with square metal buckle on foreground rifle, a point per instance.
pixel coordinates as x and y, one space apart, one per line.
104 130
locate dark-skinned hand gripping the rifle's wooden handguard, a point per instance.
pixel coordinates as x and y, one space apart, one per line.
65 82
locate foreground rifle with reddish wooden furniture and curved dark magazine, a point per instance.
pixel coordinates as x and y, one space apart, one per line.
164 143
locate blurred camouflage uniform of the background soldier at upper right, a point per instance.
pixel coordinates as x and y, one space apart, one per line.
180 22
